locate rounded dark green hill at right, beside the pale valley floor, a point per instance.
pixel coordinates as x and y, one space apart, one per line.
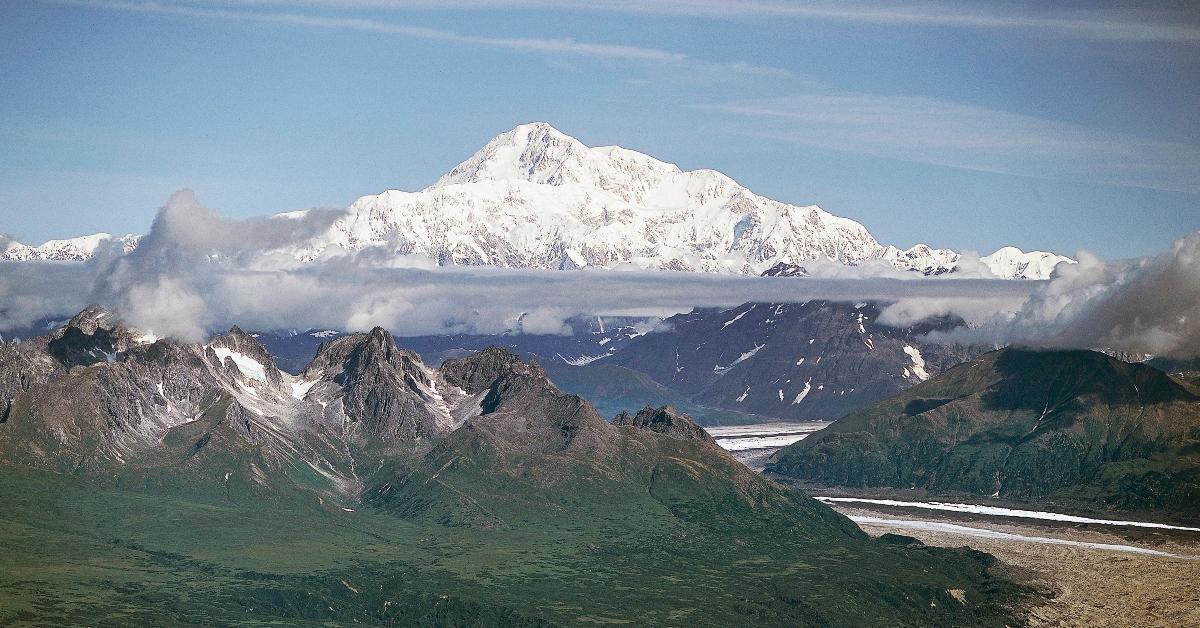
1023 424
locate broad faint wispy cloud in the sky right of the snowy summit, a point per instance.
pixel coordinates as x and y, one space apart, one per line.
946 134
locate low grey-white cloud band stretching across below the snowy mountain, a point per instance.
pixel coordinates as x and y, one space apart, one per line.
196 272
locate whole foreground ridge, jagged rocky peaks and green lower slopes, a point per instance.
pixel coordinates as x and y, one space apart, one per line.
375 489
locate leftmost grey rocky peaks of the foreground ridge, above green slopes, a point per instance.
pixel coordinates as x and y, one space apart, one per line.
98 398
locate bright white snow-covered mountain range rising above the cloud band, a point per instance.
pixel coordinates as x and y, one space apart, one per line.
535 198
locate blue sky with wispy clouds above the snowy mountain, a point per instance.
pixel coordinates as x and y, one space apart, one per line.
962 125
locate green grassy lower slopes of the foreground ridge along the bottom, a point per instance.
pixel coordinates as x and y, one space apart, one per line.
76 554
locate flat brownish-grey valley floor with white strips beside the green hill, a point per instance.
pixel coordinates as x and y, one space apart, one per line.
1100 576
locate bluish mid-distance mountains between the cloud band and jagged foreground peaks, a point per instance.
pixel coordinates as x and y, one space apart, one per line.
758 362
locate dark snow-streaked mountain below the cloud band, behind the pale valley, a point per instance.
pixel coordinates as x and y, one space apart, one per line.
797 362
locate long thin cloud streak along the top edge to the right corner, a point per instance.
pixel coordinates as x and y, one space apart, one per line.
1109 25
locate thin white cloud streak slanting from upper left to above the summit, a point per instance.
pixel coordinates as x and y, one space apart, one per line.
549 46
